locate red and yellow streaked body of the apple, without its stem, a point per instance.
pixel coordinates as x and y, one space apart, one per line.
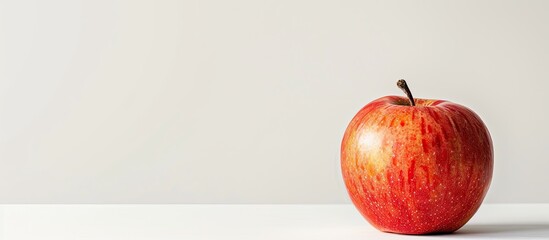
416 169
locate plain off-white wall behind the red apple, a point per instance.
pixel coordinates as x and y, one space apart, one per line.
246 101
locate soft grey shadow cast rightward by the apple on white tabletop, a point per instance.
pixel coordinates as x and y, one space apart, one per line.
503 231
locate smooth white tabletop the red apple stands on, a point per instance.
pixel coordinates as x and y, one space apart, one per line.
517 221
